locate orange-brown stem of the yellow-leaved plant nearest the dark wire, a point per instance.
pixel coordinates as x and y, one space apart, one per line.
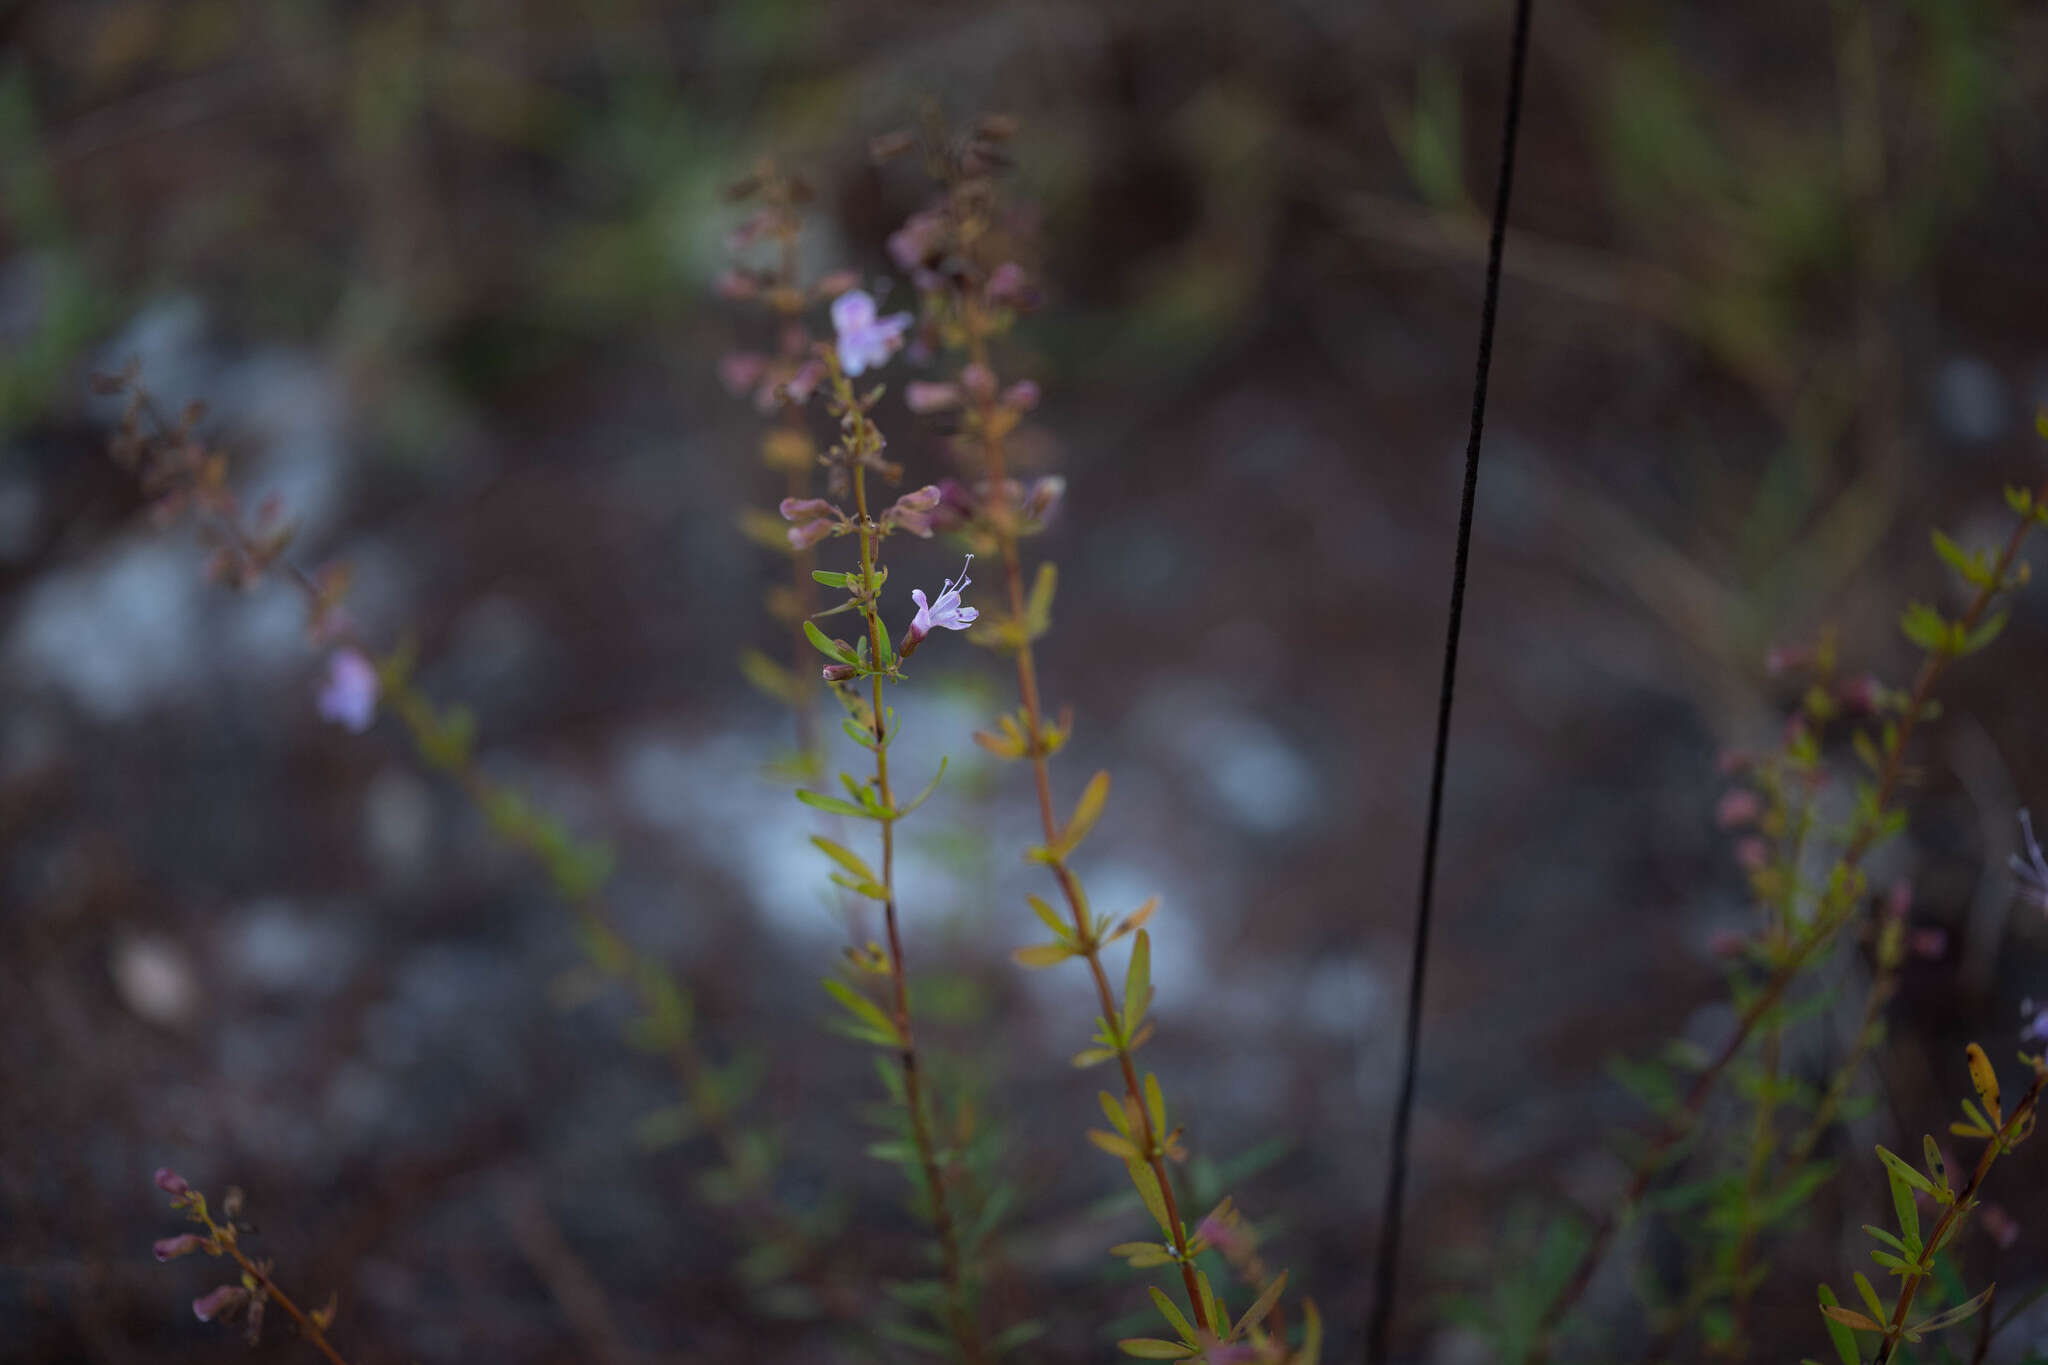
1002 521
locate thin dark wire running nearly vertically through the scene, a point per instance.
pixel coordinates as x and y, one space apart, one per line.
1390 1251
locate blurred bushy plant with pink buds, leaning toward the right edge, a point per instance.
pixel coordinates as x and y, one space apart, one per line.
1809 885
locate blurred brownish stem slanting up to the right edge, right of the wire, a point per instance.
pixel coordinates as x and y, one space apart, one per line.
1932 668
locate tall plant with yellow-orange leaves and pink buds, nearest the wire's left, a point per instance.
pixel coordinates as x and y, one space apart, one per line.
964 257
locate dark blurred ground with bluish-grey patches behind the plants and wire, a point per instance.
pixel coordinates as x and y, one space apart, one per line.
441 271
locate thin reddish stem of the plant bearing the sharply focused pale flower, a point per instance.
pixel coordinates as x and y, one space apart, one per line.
949 1245
